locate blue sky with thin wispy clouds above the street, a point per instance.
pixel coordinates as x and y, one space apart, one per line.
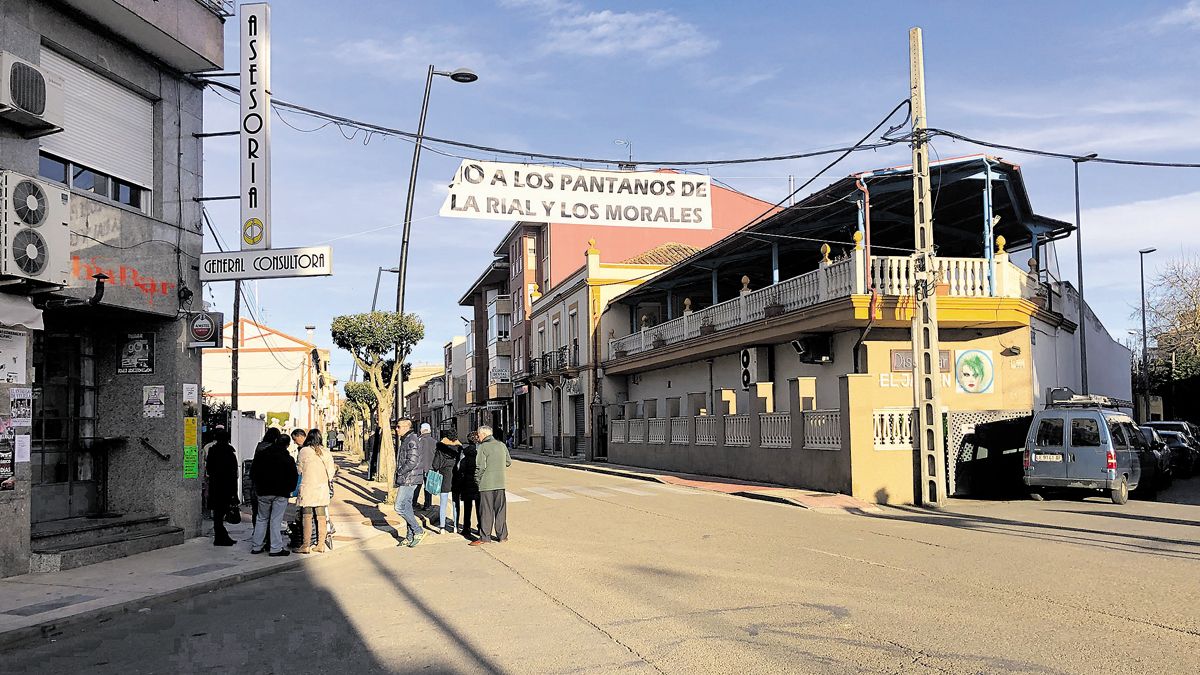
697 81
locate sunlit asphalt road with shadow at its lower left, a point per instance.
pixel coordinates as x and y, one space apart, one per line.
607 575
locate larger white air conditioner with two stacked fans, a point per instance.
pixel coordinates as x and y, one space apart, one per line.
35 229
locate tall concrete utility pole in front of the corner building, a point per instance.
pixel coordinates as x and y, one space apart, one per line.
931 459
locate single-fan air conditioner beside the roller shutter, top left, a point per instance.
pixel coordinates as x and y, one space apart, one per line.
31 98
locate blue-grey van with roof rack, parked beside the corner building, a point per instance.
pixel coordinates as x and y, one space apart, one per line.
1083 444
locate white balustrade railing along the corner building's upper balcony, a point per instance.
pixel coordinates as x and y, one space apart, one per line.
892 276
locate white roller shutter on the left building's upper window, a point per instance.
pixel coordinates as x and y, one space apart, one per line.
106 127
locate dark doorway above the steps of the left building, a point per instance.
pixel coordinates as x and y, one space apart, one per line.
68 465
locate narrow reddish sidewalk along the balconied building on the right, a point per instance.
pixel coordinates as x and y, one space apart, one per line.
820 503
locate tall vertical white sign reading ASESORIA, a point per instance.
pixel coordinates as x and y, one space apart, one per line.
256 127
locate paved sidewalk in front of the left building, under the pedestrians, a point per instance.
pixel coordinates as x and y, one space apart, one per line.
41 605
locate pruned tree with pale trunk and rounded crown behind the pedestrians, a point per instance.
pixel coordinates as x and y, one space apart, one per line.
373 339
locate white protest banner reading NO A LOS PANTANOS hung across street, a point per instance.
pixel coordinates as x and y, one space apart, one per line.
512 192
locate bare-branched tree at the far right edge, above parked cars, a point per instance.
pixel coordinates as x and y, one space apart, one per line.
1173 320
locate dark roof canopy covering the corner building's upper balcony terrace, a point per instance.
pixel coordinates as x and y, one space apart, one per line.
831 216
